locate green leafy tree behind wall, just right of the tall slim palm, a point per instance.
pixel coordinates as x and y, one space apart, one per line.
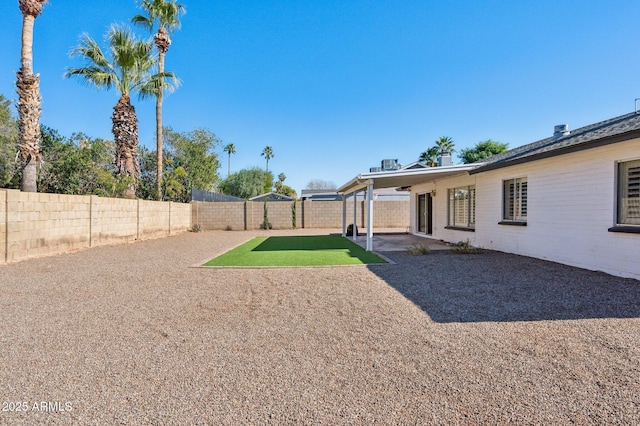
191 162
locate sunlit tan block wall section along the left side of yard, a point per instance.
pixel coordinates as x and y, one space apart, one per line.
36 224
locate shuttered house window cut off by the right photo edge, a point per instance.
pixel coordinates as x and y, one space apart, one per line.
629 193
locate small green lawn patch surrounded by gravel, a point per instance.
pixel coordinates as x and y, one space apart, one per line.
317 250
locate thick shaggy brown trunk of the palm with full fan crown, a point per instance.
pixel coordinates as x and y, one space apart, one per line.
125 134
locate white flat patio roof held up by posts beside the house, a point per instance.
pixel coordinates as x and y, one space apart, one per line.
403 178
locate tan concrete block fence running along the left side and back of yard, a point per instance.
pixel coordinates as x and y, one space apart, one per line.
36 224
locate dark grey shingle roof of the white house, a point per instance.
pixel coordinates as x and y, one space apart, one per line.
613 130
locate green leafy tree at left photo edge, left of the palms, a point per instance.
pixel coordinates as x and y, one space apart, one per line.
10 174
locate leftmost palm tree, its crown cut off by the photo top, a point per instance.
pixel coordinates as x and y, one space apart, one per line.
29 100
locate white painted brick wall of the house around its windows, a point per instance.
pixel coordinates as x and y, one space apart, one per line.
571 205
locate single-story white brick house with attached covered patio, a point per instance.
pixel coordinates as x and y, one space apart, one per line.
572 198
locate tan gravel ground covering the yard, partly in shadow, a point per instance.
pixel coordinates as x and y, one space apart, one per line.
131 334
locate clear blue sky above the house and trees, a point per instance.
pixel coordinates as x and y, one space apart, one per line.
336 86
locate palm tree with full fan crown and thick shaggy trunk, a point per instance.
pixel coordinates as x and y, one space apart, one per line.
129 70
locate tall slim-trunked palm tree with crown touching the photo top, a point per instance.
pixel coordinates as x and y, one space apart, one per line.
166 13
